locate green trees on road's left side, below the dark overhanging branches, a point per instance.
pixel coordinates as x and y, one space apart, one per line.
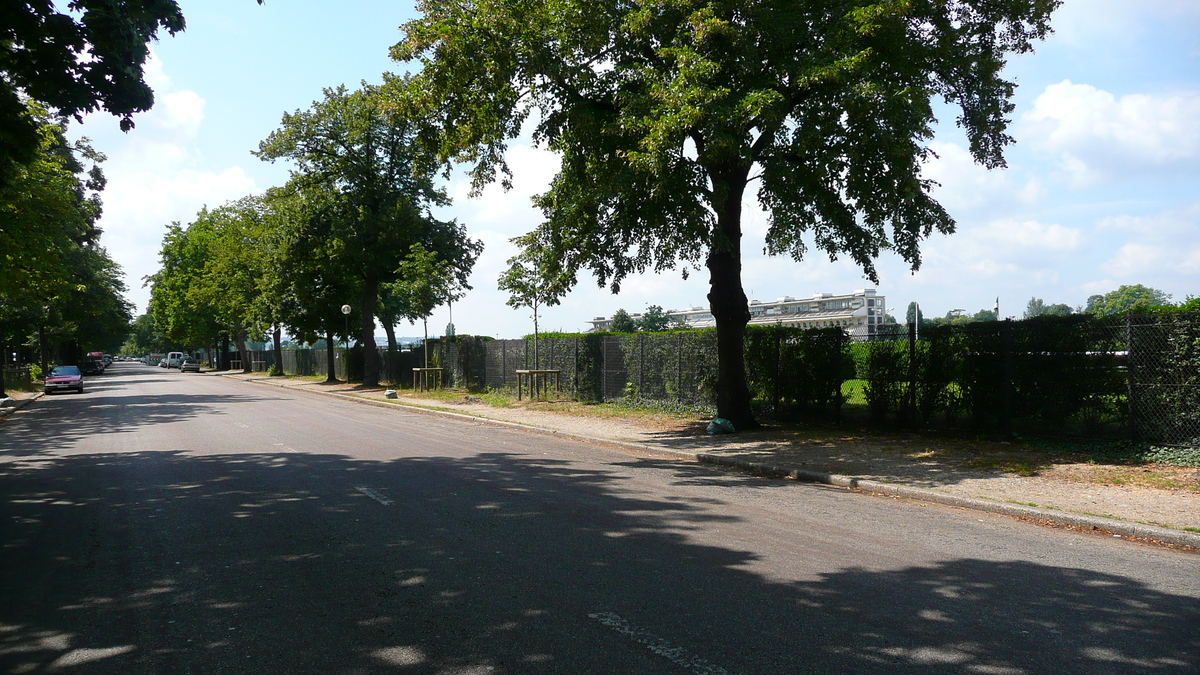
61 292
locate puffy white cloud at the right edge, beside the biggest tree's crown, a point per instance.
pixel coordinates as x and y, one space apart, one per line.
1096 135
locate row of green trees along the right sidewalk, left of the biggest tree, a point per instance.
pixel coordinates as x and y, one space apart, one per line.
352 228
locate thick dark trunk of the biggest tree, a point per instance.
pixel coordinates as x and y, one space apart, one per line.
728 301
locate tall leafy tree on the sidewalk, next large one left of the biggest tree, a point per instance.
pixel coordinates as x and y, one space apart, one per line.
361 154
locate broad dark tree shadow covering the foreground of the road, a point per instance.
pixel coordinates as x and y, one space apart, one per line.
502 563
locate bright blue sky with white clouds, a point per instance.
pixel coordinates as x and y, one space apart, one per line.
1102 187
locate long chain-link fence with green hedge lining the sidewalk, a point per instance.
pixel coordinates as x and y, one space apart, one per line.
1135 377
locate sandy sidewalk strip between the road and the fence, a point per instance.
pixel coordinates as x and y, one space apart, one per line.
1171 517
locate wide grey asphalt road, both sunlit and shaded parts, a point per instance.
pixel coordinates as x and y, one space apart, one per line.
169 523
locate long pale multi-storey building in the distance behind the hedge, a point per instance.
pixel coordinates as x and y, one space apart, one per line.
859 313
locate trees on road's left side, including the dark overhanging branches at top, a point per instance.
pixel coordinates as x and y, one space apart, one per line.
61 292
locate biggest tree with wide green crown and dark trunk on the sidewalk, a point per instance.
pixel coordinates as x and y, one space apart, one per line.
667 112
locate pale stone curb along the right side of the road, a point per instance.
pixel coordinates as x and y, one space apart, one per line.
1151 533
